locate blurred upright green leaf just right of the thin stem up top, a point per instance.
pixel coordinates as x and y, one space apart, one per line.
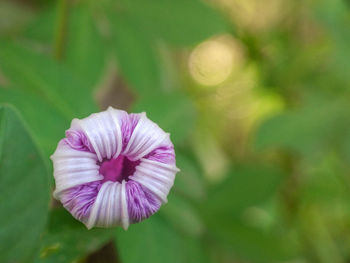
84 49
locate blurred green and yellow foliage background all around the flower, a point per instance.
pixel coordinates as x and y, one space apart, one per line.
254 93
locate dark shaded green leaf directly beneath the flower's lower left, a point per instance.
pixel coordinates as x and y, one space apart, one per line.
68 240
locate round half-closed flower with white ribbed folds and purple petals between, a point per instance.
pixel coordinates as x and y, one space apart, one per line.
113 168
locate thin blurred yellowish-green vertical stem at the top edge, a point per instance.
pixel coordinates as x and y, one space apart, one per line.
60 32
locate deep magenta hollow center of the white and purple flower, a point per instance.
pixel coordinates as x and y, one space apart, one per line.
117 169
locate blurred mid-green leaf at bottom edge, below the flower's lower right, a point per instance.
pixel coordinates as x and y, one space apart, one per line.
154 241
